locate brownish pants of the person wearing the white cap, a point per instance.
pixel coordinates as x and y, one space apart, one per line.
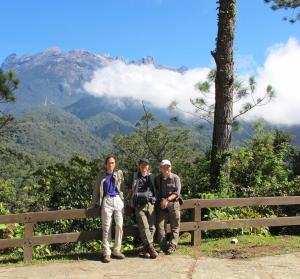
173 216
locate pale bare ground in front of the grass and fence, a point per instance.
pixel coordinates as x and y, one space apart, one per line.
175 266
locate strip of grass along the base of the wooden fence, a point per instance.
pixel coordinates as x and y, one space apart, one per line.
247 246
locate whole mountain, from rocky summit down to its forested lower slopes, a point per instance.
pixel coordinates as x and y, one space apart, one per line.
59 117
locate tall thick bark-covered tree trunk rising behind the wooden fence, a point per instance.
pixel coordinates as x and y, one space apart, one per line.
223 56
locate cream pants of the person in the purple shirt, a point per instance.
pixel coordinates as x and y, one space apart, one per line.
112 207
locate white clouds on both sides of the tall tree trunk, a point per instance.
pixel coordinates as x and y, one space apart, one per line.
161 86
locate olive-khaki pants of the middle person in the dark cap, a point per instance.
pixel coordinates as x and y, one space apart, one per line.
145 216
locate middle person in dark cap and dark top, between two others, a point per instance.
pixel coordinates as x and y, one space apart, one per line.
142 199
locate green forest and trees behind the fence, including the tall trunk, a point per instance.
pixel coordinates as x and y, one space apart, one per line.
54 166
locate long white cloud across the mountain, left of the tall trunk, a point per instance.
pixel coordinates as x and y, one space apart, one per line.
145 82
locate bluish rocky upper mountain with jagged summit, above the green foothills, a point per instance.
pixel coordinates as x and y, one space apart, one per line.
53 77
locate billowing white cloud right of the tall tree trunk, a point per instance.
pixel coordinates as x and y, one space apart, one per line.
281 70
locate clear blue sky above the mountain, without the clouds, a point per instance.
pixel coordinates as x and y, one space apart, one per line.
174 32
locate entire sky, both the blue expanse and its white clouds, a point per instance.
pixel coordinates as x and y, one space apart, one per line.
176 33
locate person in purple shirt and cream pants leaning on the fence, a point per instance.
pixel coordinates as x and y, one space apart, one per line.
108 194
